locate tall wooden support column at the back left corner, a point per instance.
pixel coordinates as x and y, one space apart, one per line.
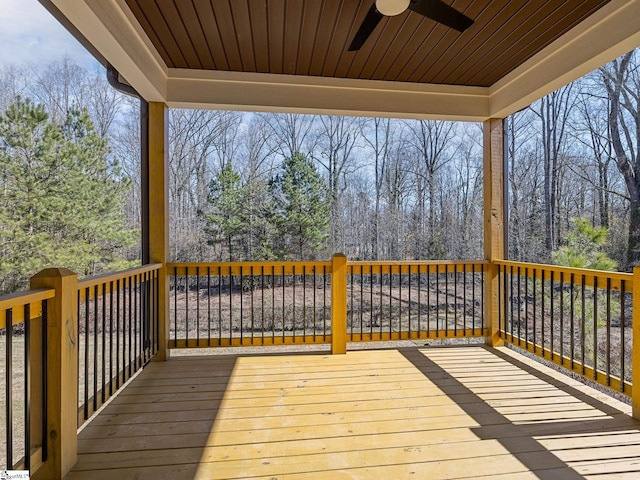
158 220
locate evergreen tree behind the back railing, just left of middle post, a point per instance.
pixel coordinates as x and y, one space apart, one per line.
302 209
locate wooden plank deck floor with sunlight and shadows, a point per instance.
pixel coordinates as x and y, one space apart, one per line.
429 413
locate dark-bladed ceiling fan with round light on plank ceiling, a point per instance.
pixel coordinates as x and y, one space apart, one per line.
434 9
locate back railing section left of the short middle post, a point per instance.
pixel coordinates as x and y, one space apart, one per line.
245 304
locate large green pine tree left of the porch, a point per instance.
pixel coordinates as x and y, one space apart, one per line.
61 200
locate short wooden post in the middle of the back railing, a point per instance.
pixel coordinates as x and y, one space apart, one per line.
339 304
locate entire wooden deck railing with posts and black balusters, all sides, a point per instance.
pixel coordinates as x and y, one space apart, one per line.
101 330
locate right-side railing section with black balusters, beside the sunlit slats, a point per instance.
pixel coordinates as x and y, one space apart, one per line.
579 319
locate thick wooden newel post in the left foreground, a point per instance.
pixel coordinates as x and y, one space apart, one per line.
62 371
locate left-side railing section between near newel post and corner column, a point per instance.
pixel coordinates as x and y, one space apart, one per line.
117 332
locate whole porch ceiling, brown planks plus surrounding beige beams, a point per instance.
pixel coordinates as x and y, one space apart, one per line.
281 55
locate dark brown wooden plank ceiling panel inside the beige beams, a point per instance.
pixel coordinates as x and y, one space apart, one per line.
311 37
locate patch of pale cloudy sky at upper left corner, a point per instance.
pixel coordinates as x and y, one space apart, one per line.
30 34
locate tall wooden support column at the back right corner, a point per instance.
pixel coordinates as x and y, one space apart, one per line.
494 185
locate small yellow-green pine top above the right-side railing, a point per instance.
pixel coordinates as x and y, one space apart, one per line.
584 246
